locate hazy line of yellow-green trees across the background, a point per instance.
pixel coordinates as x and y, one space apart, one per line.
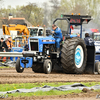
45 14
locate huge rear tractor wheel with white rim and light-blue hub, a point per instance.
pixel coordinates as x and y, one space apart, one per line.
70 50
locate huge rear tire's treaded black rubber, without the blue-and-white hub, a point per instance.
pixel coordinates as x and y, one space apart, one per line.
67 55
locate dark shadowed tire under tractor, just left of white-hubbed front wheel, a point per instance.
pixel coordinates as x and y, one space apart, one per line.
37 67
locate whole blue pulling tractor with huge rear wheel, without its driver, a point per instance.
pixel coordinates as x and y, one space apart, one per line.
75 56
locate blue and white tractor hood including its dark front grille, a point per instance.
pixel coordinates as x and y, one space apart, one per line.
36 43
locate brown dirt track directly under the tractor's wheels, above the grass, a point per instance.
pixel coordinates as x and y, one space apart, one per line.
28 76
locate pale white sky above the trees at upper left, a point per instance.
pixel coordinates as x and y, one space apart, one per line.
14 3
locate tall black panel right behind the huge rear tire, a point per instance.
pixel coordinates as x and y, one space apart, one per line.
90 66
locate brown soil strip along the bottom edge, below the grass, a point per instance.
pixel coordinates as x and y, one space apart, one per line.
81 96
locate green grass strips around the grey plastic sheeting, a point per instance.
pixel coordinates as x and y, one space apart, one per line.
8 87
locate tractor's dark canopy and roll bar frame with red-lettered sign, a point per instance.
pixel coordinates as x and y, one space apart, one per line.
74 21
